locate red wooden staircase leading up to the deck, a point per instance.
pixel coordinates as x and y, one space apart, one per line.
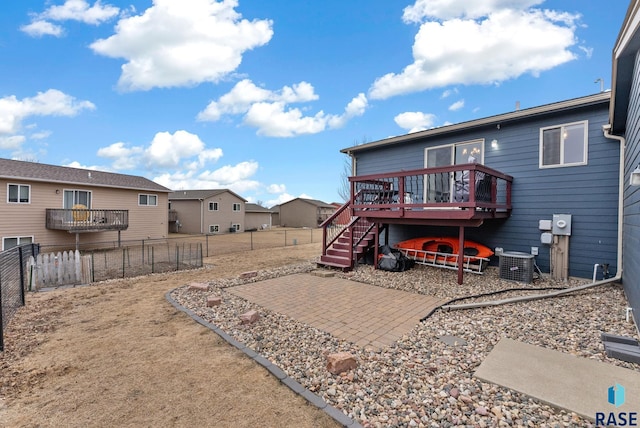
346 239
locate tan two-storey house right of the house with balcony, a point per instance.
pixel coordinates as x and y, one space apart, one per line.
207 211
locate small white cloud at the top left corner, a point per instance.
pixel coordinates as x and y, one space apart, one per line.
70 10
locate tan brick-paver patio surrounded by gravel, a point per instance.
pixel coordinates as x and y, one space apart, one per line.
363 314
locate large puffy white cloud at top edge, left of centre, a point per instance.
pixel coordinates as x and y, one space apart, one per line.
182 43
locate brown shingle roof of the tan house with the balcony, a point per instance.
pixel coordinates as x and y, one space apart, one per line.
32 171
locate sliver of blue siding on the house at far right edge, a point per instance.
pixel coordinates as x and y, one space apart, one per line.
631 234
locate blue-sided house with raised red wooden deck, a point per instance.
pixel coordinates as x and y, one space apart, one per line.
525 166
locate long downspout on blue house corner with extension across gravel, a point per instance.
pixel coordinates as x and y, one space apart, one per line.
606 130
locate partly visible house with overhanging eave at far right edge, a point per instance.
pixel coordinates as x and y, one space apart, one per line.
624 121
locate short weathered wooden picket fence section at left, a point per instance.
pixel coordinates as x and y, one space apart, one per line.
56 269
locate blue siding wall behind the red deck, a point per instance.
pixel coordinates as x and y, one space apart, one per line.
588 192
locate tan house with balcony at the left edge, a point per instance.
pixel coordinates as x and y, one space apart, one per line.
62 206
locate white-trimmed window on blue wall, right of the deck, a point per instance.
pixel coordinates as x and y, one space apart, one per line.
564 145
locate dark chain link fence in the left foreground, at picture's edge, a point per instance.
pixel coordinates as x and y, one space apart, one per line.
13 282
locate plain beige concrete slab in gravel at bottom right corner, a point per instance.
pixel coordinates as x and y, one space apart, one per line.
578 384
